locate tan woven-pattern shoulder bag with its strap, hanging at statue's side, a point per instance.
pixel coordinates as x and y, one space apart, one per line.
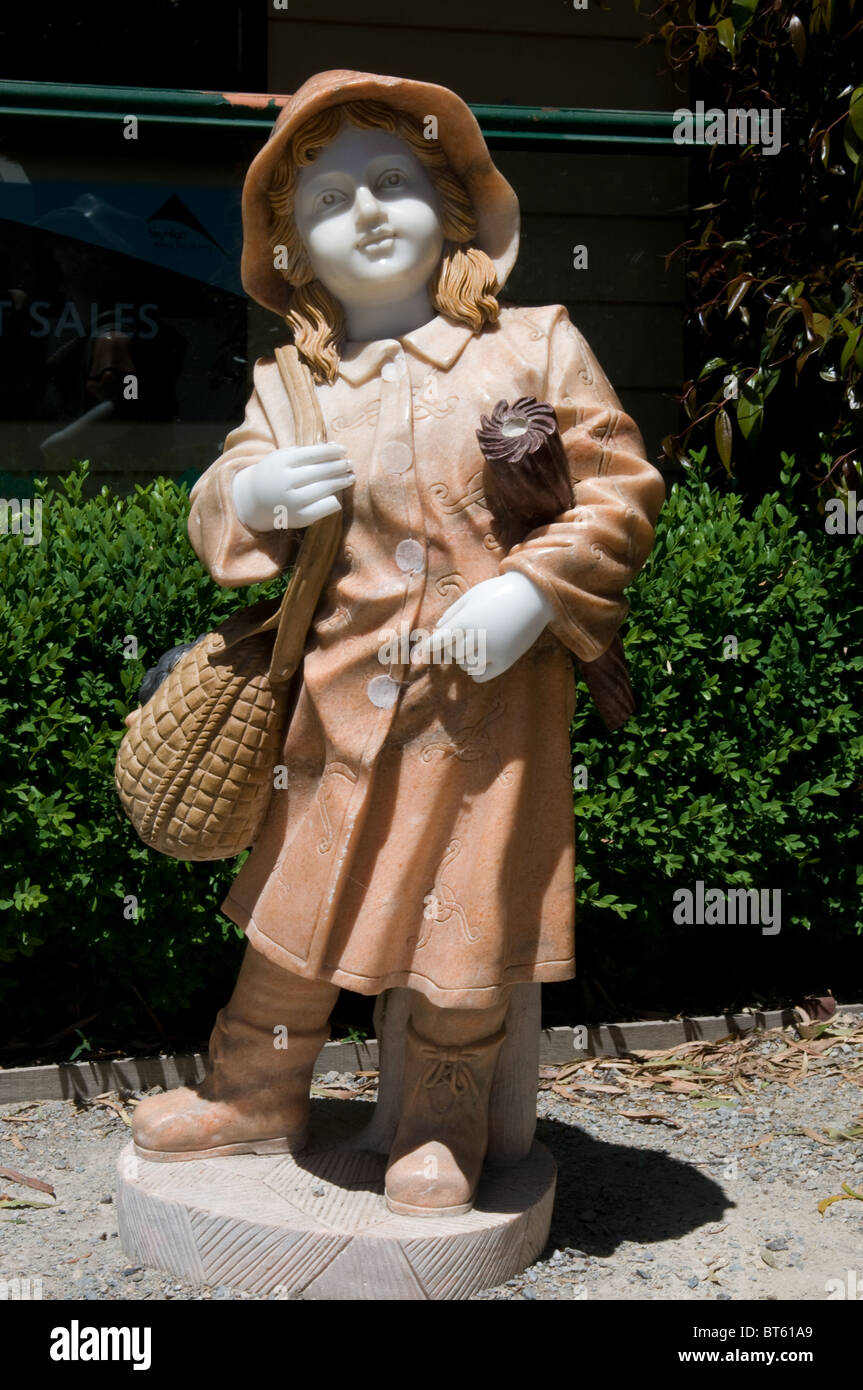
195 771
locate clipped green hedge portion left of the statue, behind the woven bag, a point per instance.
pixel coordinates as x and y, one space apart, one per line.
106 575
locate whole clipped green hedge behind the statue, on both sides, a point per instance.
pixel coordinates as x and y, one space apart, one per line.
736 771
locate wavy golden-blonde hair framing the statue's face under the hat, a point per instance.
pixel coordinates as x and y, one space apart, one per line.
465 284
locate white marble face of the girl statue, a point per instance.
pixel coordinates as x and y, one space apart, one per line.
369 218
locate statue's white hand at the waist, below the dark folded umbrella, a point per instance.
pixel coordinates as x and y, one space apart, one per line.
490 628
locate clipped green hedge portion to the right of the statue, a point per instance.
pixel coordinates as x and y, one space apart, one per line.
744 765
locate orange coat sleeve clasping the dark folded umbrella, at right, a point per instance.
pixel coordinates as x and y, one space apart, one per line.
584 559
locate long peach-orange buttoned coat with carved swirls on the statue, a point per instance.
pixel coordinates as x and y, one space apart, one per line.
426 836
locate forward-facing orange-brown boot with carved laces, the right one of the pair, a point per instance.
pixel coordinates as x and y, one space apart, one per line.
440 1147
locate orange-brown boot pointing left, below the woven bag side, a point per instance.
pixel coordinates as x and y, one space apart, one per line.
255 1099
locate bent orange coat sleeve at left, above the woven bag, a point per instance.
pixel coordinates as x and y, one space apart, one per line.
227 548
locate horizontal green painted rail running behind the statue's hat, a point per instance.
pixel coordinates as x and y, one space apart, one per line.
507 126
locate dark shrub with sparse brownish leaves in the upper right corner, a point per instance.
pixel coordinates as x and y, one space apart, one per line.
773 259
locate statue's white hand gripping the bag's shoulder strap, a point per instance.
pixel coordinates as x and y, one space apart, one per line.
302 483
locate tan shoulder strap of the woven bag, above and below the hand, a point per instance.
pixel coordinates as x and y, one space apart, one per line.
320 541
